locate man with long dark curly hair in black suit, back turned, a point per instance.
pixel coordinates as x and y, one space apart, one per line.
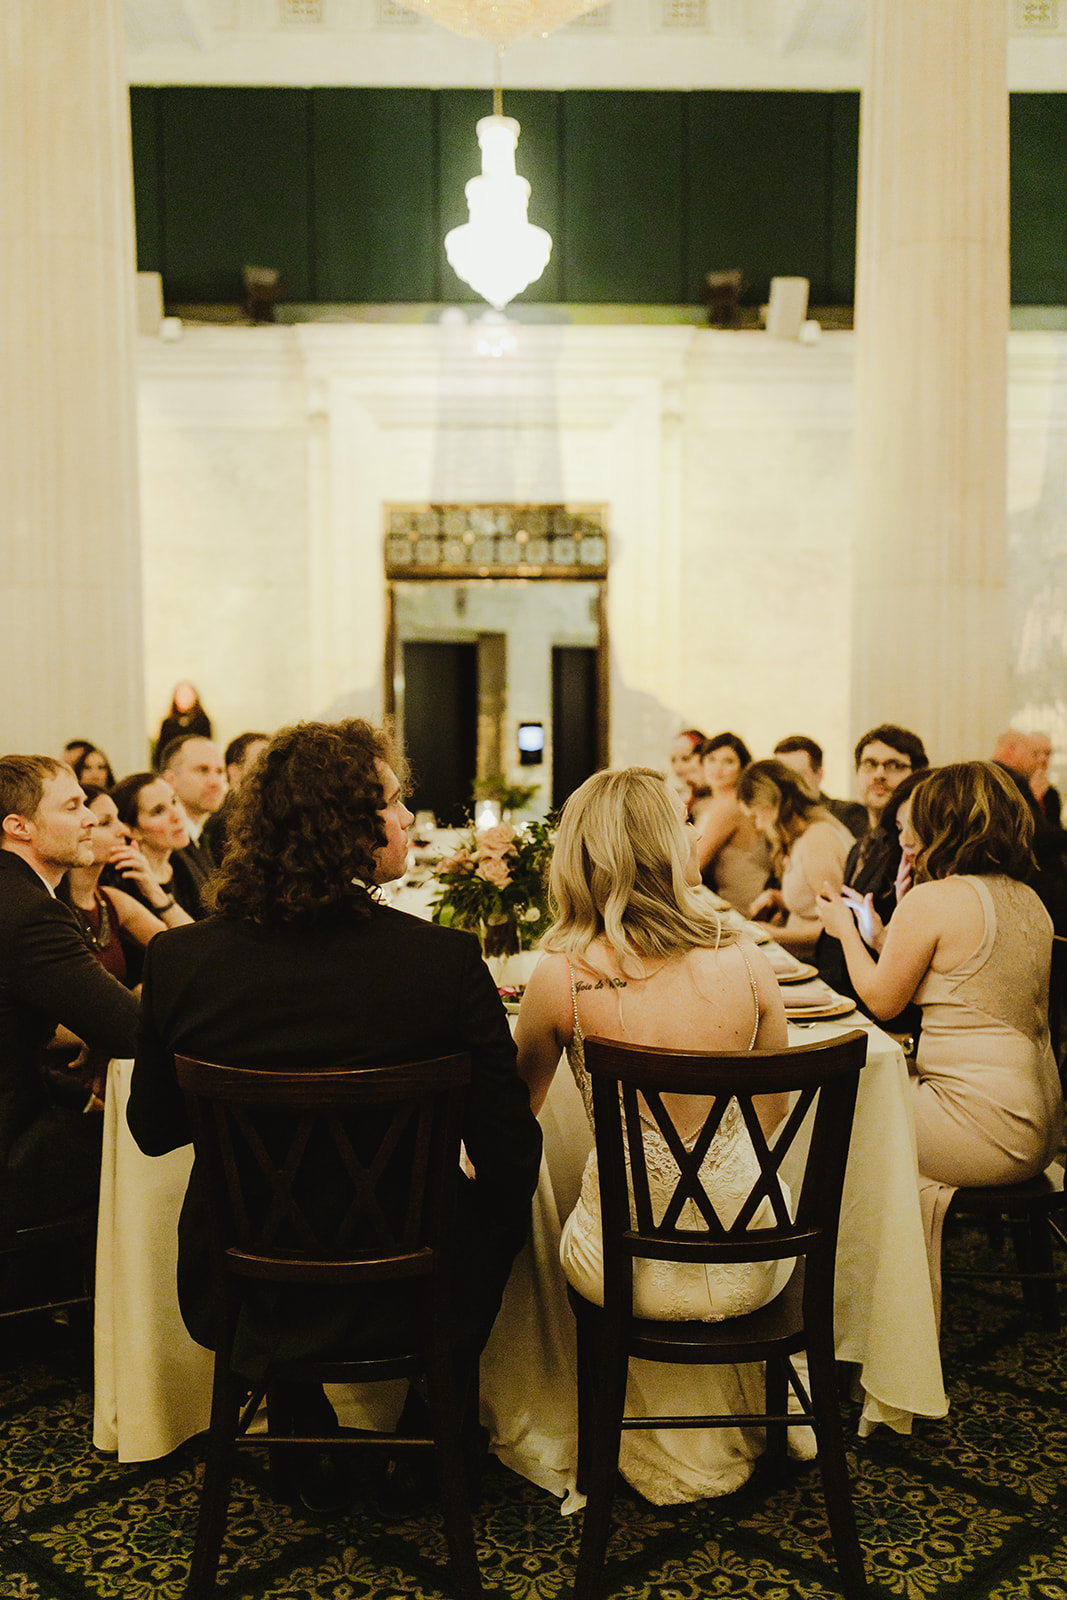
305 962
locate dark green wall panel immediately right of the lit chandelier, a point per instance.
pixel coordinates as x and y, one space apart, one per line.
623 198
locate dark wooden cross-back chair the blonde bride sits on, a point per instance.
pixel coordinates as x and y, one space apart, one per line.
629 1082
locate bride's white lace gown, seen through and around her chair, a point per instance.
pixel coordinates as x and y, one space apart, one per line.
674 1466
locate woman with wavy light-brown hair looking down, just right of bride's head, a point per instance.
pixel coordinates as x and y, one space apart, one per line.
809 850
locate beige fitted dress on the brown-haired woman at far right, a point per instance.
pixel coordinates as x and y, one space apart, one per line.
988 1100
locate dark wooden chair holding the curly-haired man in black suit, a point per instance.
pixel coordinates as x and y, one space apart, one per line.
391 1140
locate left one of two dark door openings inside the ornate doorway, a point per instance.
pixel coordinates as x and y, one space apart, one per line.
441 727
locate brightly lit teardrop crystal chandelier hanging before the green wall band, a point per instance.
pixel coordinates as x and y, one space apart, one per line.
498 252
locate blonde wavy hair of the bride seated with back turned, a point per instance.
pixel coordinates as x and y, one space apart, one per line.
620 873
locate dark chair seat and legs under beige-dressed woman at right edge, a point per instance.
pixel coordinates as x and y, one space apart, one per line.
1034 1214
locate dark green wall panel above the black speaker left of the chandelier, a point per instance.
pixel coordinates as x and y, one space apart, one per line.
236 190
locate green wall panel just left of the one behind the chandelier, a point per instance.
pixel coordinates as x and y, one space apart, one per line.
375 226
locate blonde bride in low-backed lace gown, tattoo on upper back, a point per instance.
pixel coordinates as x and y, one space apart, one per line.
639 958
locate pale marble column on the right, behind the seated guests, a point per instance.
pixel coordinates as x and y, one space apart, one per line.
932 346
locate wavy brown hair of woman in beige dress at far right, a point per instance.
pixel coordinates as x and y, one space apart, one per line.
970 818
